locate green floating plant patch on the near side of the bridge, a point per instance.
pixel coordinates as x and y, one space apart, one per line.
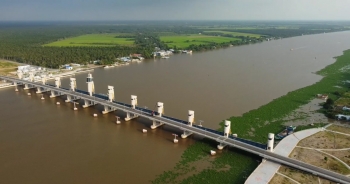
198 166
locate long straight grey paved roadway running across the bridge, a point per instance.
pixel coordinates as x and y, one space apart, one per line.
201 131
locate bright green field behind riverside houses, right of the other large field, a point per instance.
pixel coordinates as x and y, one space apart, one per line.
183 41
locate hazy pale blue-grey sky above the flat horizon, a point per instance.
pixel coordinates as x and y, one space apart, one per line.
70 10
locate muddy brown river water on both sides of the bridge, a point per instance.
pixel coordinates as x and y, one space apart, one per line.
41 142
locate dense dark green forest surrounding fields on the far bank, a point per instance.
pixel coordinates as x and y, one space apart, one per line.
24 41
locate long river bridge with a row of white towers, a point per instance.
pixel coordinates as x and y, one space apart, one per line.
133 111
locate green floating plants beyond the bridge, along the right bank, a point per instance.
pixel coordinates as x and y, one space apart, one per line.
268 118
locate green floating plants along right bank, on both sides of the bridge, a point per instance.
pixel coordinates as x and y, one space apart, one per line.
255 125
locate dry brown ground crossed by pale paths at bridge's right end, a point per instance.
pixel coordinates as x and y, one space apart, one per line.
326 149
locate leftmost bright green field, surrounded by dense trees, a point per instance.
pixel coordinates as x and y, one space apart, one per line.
93 40
